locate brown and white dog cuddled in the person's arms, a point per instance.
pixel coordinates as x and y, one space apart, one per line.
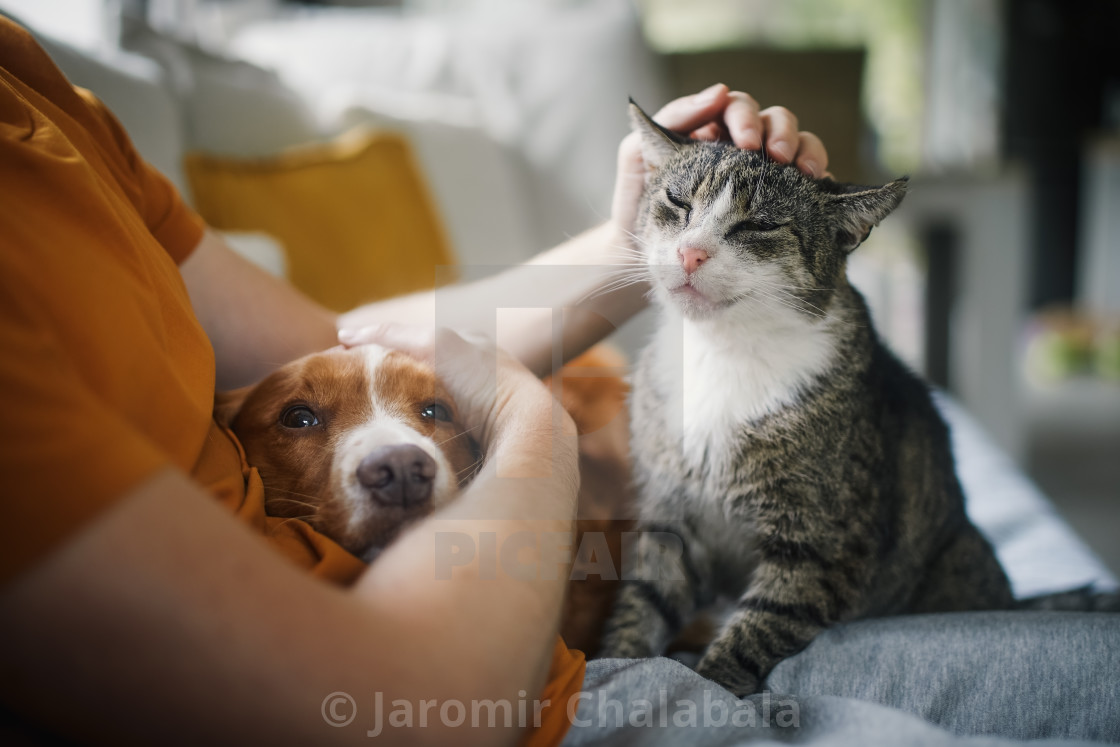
361 443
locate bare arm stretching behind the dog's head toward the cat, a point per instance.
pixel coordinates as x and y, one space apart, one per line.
257 322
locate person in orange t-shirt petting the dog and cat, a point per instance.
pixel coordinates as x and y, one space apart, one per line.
133 608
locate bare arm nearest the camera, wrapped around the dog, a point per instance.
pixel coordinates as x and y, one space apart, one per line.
167 620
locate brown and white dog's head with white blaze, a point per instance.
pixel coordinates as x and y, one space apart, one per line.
358 443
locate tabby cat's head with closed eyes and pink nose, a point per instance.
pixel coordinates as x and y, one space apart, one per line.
723 228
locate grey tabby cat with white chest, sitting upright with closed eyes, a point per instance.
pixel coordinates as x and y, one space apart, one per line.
805 470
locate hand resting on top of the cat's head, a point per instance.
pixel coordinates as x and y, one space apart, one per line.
718 114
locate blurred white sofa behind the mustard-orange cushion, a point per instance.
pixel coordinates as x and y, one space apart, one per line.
516 120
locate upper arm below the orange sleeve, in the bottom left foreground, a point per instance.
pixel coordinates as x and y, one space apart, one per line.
166 621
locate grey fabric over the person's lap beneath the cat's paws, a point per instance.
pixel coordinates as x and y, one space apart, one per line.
963 679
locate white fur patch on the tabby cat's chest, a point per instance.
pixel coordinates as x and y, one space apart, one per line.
725 373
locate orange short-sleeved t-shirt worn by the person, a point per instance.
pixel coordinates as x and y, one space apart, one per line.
107 375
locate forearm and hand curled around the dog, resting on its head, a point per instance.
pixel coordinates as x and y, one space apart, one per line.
505 543
